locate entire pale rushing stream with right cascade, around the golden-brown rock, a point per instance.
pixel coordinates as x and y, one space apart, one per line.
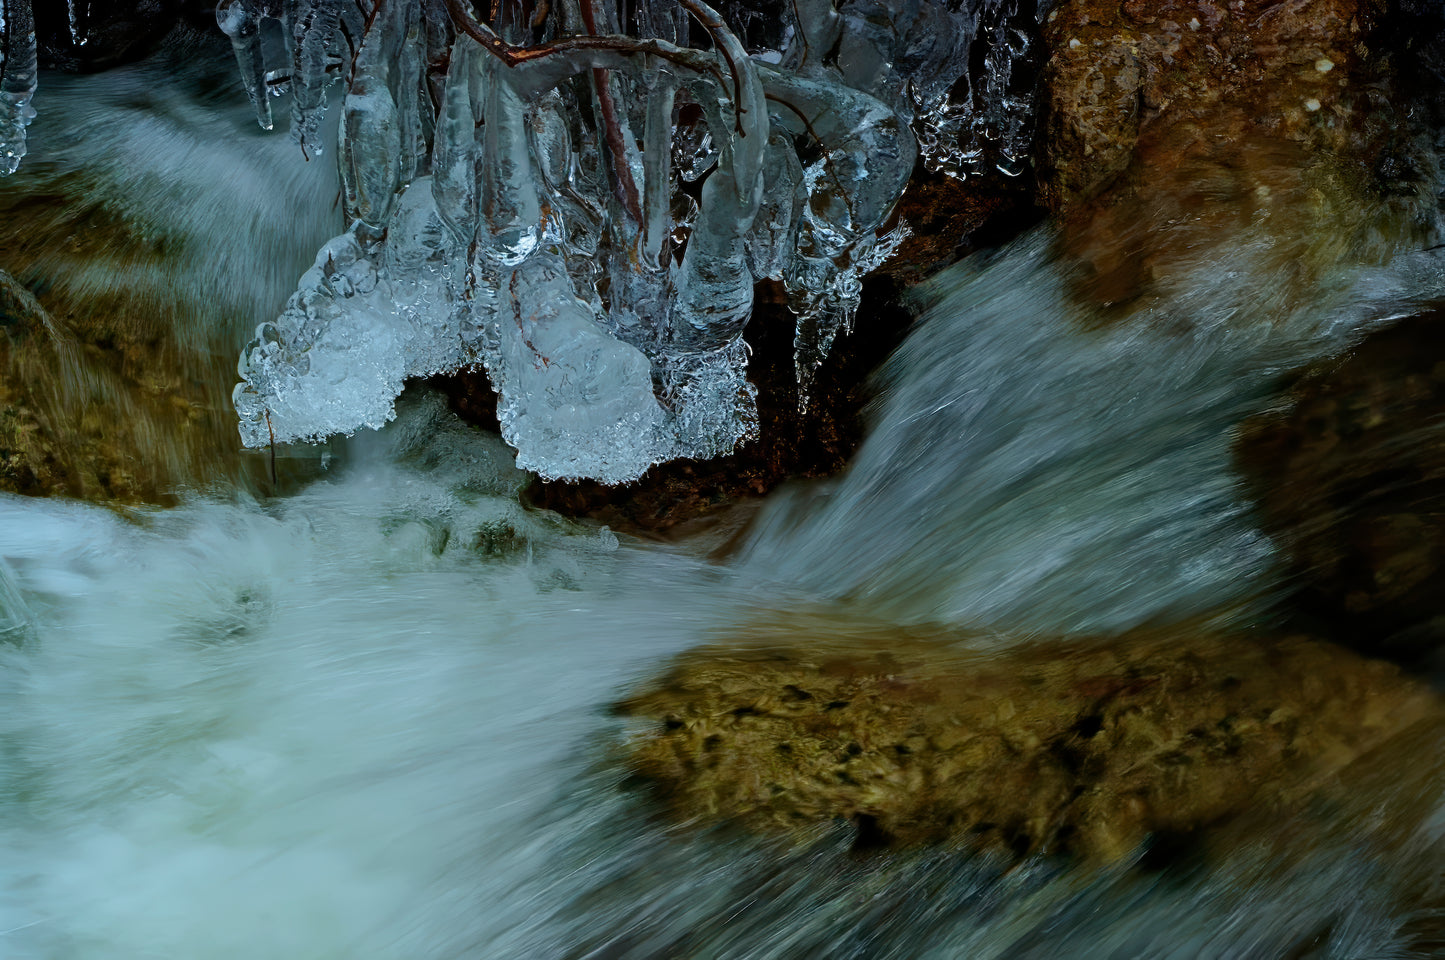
369 719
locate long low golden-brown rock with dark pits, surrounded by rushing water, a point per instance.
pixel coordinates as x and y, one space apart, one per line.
1082 747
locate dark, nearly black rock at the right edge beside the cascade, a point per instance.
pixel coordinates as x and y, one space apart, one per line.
1349 475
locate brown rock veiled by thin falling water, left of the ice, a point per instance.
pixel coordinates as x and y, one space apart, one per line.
154 232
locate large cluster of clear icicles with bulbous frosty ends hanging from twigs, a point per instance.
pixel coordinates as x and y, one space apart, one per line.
582 200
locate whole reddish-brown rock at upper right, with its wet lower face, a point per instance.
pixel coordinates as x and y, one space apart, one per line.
1177 127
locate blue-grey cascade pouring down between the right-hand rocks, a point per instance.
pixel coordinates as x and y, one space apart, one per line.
1095 434
